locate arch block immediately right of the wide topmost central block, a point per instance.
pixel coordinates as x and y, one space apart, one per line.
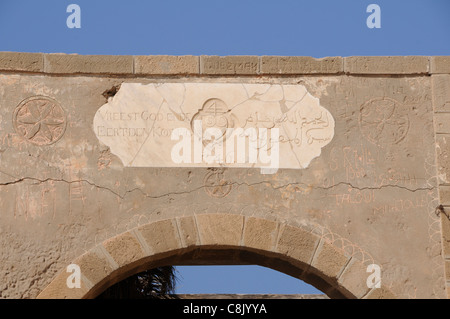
260 233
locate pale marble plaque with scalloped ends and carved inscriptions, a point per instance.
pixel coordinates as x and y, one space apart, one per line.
140 124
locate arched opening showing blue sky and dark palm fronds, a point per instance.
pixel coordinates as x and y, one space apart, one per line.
211 281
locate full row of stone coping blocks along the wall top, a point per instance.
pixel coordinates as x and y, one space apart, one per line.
167 65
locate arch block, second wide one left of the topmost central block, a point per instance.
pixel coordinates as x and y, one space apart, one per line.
124 249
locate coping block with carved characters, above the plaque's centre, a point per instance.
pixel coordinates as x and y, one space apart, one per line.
229 65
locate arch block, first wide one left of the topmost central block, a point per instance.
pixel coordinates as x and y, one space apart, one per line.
161 236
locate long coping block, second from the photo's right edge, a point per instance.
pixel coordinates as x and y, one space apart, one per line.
386 65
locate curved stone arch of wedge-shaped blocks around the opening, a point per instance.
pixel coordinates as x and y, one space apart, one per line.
298 251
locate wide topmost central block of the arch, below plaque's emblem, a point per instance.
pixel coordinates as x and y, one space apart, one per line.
220 229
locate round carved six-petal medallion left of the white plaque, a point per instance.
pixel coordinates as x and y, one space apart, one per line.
40 120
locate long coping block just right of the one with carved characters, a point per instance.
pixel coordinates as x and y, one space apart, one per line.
301 65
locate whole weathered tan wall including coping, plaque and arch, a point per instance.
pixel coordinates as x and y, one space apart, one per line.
85 176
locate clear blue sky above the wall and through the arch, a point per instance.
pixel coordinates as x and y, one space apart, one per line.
316 28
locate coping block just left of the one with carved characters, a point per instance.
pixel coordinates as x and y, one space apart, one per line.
166 65
